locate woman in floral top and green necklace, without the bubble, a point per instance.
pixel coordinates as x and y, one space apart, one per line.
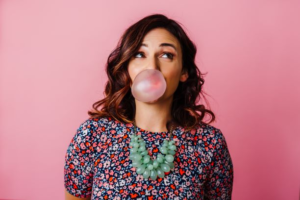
100 160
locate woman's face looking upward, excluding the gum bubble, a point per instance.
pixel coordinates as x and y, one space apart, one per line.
162 51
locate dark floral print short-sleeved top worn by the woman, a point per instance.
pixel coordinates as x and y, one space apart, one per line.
97 163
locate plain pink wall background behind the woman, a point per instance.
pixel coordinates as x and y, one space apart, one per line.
52 57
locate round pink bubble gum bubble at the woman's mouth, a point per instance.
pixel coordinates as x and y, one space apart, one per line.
149 85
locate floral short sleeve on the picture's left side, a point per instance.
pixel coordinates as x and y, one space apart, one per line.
78 169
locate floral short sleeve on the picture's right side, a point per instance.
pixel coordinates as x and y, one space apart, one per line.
220 180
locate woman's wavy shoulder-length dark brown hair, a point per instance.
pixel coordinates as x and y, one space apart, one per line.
119 103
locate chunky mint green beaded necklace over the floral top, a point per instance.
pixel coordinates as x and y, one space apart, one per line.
146 166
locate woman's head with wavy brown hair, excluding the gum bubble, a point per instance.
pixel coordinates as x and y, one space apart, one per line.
139 49
